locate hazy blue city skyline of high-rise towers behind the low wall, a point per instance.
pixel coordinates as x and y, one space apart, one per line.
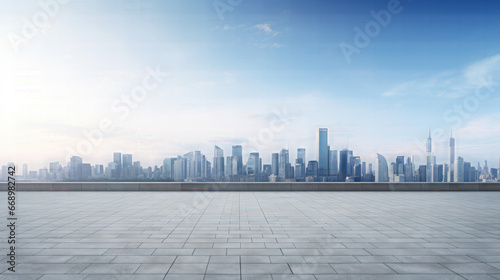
330 165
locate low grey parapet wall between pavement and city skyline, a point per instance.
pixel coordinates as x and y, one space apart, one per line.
120 186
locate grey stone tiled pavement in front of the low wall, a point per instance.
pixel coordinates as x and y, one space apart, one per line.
256 235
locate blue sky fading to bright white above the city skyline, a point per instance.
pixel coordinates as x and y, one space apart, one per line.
262 74
